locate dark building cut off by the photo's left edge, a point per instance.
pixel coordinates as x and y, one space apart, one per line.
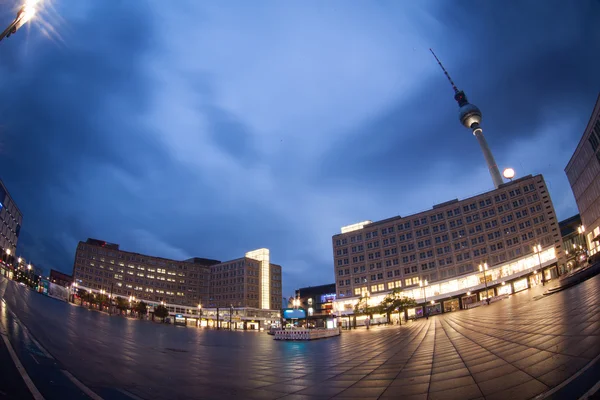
10 228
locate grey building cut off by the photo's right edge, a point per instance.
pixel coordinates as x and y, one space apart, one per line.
583 172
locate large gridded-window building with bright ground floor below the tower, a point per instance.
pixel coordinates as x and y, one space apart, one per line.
436 254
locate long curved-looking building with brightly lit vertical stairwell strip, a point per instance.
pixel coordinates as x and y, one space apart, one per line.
243 293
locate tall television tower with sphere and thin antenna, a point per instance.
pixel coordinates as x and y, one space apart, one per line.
470 117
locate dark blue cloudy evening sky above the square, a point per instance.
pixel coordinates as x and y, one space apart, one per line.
197 128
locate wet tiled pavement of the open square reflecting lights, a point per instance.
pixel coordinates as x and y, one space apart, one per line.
518 348
